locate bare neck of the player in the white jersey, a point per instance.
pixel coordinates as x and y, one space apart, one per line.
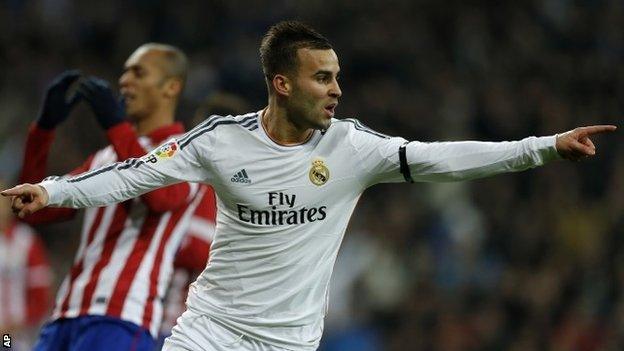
281 129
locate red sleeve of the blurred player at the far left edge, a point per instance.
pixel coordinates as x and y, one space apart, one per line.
39 282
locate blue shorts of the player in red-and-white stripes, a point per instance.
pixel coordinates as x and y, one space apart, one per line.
93 333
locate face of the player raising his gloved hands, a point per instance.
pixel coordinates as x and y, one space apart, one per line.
142 83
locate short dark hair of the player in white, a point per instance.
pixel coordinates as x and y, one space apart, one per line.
278 51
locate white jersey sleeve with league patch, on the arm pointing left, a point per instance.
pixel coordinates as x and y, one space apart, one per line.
173 162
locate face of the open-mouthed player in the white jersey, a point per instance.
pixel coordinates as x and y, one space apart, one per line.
315 90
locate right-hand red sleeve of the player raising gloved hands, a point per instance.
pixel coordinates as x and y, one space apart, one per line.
126 144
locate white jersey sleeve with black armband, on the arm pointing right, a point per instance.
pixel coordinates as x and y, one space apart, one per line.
379 156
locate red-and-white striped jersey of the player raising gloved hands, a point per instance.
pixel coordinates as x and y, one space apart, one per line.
125 258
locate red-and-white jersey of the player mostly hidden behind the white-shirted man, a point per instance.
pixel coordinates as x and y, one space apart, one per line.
191 258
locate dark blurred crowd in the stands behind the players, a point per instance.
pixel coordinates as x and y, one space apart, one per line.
530 261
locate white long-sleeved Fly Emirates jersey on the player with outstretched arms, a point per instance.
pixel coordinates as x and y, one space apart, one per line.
283 210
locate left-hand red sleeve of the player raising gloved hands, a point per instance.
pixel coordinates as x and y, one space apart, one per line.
34 167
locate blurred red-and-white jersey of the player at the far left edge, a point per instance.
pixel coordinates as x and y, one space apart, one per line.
25 278
